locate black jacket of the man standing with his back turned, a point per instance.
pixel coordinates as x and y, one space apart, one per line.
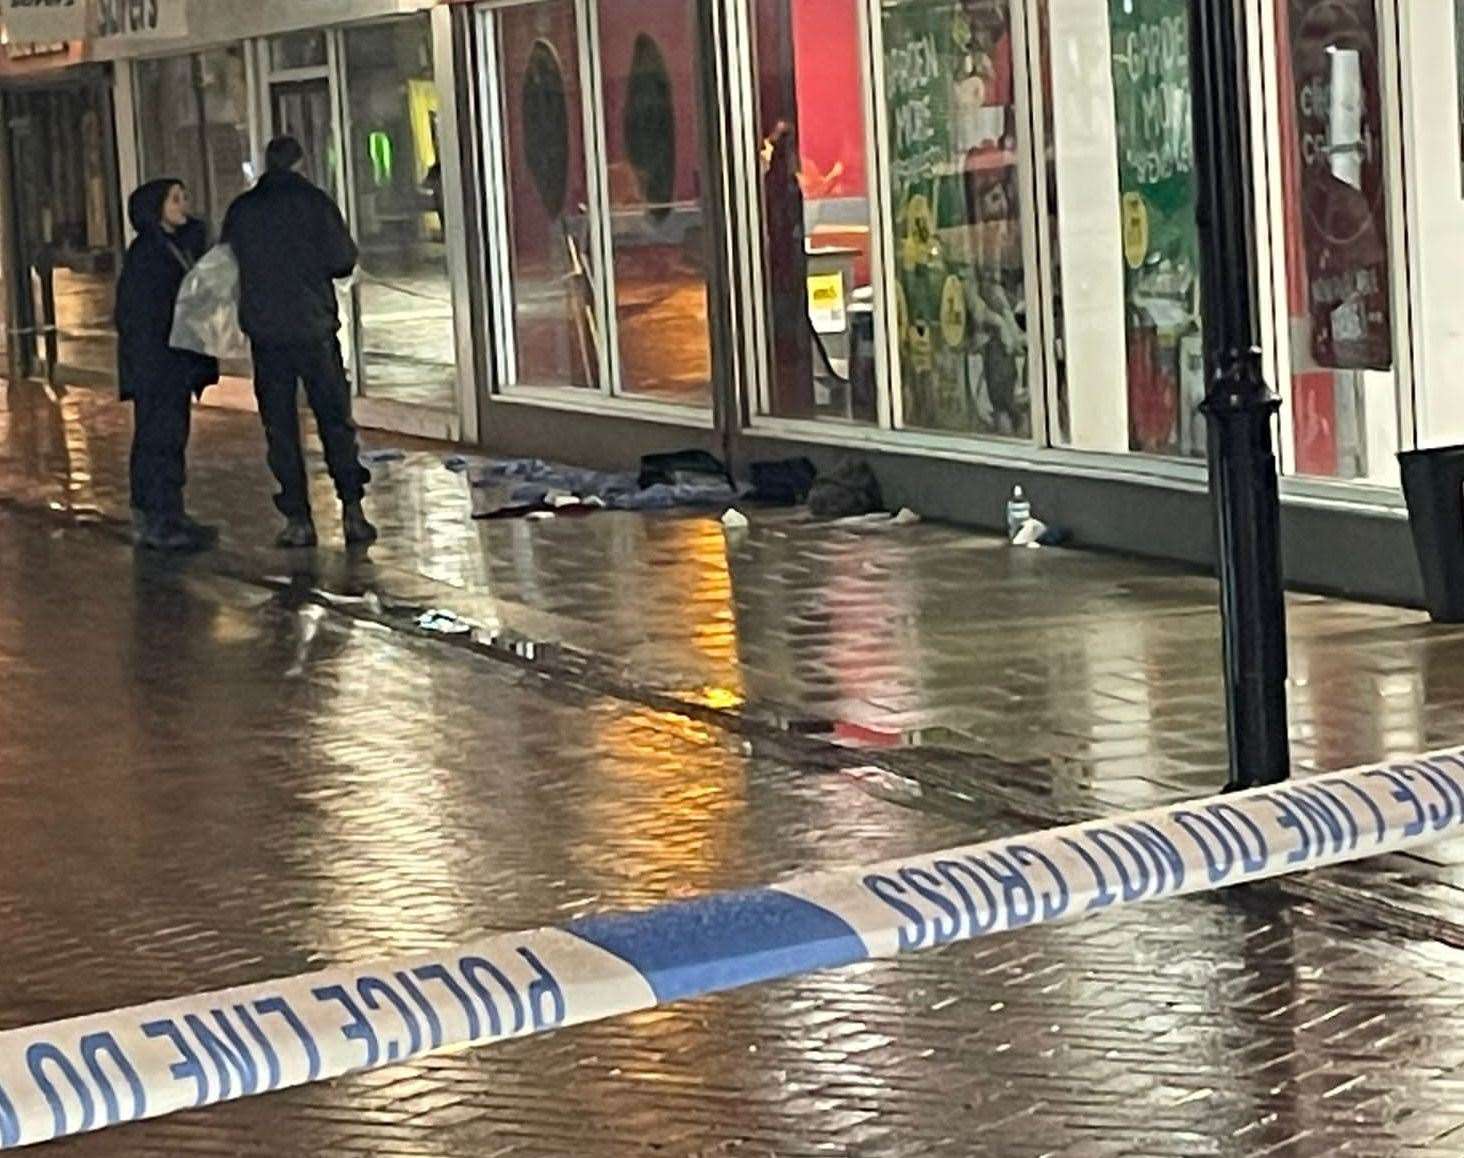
292 244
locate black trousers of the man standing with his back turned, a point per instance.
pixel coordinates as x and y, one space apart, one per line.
279 374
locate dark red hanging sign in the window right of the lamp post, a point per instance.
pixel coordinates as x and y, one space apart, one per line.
1345 219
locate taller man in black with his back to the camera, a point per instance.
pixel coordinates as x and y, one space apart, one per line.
292 245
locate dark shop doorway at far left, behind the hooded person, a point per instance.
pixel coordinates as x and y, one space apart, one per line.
68 236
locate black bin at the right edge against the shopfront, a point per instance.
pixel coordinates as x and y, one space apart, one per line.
1434 485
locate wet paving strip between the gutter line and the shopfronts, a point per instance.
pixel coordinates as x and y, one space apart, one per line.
1090 683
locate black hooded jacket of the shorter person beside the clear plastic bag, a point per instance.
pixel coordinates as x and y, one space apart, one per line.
147 296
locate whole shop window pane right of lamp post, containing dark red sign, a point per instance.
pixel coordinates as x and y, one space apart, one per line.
1339 283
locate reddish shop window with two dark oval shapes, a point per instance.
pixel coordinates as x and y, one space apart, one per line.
598 197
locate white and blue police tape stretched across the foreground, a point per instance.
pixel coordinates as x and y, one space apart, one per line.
149 1061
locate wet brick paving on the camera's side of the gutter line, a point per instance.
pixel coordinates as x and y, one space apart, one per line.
206 782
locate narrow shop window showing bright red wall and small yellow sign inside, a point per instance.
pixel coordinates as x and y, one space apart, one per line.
812 108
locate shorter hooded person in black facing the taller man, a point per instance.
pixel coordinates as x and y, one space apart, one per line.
157 380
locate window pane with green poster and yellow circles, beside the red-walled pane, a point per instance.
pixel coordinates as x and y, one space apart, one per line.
960 258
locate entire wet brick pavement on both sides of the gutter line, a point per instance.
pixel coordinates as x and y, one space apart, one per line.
206 782
